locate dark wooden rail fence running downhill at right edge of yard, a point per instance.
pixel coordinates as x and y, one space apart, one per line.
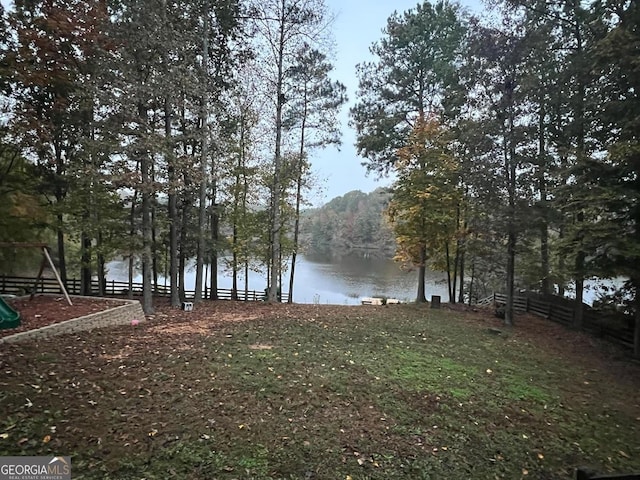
613 326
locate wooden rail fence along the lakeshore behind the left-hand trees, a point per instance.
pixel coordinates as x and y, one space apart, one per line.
26 285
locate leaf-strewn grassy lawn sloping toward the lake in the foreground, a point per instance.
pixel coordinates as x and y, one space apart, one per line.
236 391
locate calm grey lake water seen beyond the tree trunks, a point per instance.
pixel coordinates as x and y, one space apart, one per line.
342 280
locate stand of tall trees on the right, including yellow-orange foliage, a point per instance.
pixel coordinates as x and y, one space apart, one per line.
514 142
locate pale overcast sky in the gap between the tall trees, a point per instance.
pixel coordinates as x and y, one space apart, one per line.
359 23
